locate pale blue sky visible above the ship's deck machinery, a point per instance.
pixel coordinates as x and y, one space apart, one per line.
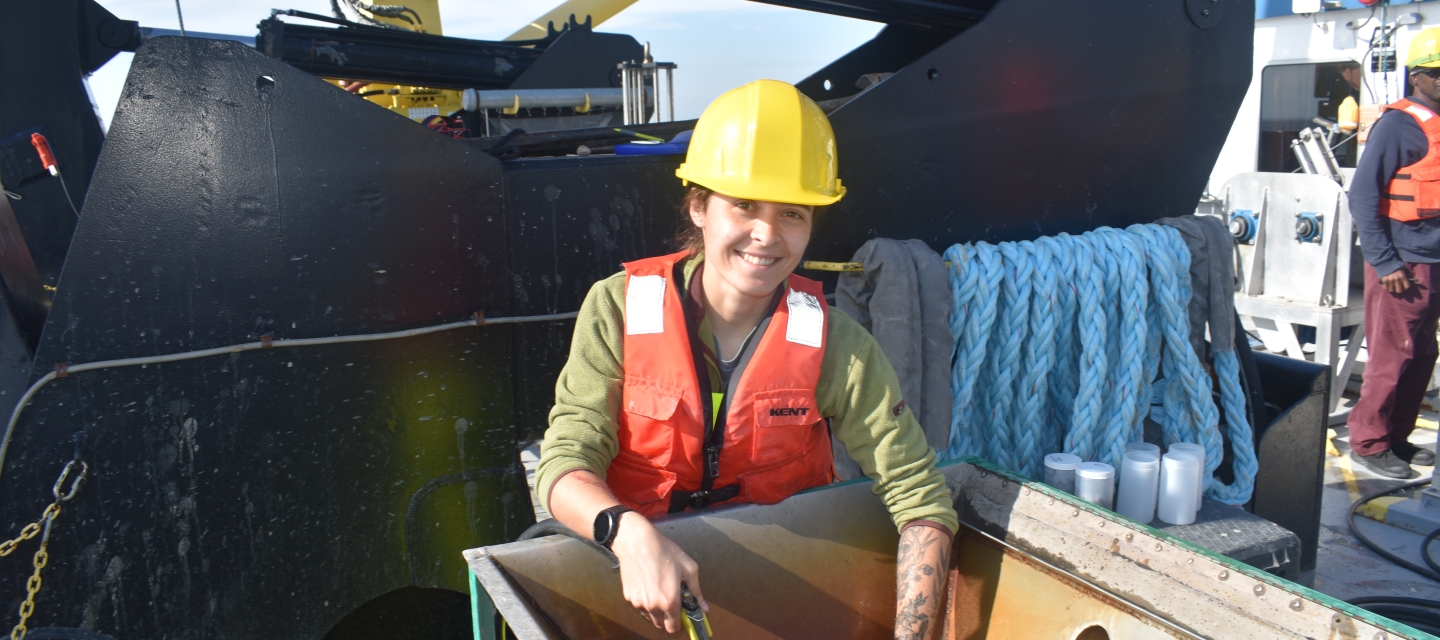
718 44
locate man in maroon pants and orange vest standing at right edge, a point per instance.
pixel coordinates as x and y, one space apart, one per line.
1395 201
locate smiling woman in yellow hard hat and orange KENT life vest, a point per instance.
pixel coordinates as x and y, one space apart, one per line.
706 377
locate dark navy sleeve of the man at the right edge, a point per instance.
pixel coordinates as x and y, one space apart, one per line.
1385 155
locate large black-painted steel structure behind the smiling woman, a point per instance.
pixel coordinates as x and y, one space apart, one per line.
294 494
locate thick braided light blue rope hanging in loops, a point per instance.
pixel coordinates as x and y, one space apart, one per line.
1059 345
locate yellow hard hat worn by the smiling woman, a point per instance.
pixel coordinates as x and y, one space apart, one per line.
765 142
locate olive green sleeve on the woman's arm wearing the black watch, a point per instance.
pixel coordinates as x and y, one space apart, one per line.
582 430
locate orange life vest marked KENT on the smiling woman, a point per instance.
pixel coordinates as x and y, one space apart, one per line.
774 442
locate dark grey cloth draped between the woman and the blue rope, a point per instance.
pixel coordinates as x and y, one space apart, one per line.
904 301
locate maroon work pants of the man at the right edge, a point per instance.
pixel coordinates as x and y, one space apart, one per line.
1400 338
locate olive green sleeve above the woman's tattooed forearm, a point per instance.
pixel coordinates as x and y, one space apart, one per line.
860 393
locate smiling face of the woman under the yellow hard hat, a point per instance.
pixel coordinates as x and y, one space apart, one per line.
754 246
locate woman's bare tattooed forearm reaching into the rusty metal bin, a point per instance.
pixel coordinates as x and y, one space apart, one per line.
922 566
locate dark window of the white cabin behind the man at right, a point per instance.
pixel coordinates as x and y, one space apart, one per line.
1291 97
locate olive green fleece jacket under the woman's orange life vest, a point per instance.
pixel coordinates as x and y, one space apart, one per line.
858 388
